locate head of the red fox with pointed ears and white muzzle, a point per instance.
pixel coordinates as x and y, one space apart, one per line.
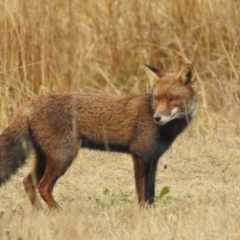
173 95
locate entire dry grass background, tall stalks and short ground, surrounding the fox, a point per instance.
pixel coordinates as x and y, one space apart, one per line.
99 46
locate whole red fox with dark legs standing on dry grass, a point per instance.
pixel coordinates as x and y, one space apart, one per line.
56 125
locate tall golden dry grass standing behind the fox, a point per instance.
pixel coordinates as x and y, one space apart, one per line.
100 46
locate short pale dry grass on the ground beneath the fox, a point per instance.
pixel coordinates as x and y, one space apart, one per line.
98 199
